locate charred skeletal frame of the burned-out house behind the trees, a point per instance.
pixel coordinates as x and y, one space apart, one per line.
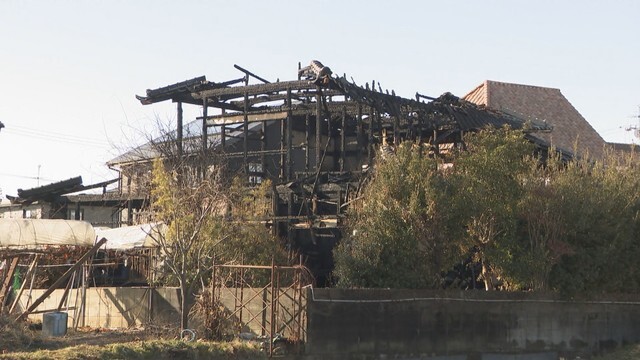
314 137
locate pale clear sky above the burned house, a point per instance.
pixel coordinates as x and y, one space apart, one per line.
70 70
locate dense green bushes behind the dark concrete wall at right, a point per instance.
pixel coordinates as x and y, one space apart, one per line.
500 215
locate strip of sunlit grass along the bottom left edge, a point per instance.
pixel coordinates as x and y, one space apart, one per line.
154 349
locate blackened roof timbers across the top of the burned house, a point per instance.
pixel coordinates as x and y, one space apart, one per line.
372 114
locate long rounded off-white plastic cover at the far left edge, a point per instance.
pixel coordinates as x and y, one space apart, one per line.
32 233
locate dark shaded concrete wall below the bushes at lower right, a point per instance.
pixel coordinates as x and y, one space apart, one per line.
372 324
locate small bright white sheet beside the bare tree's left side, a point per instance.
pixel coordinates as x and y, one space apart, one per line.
129 237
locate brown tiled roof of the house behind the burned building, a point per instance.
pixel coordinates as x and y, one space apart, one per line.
570 130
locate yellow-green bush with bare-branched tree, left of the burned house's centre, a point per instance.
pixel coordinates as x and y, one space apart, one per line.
210 216
